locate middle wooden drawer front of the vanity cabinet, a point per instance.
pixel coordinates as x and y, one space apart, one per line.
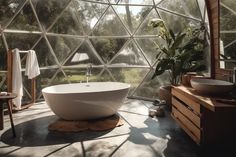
186 111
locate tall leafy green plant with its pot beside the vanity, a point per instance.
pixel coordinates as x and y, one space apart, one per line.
178 54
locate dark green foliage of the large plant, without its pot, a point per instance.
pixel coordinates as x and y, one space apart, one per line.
182 53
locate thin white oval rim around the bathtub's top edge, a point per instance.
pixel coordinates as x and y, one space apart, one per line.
44 89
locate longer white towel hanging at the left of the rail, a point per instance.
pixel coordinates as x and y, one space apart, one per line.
17 86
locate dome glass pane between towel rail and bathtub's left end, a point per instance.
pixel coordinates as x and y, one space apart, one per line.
44 79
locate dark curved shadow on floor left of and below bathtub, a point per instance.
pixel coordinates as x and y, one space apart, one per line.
35 133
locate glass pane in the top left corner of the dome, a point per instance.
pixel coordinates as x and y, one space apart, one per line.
8 9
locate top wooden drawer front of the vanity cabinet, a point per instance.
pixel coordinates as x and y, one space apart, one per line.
192 104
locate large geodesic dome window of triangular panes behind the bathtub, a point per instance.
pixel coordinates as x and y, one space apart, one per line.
115 36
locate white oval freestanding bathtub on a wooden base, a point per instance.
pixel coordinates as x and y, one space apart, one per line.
83 101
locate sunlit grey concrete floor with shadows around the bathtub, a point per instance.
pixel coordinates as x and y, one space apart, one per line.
140 136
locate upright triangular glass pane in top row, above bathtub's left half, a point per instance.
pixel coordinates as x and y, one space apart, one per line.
68 23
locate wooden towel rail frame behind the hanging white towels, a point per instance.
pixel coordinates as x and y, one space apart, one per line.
9 82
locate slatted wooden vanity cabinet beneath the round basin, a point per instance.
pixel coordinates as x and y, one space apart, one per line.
204 119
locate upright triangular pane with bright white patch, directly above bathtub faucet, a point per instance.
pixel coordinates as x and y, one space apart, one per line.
83 55
